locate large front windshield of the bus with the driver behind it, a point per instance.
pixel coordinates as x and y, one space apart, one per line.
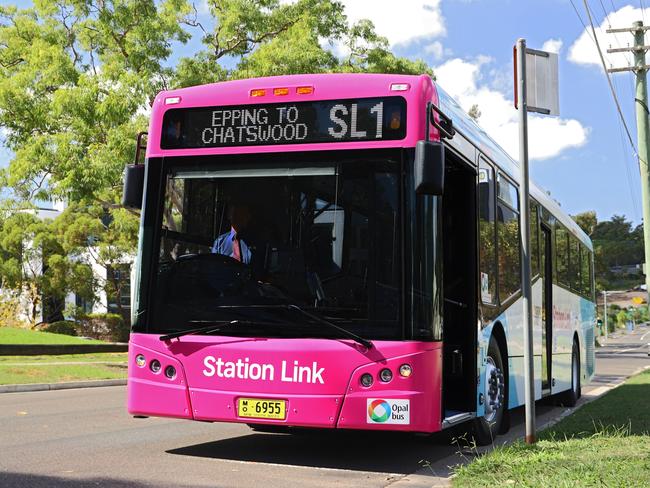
237 242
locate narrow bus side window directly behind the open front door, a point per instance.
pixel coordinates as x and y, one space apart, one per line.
487 248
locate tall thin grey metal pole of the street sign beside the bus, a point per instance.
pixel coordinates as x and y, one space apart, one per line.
524 205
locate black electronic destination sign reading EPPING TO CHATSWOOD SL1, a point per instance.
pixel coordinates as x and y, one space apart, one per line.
361 119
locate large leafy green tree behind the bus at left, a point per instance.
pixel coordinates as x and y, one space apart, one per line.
76 81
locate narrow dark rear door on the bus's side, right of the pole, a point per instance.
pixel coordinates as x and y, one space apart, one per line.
547 309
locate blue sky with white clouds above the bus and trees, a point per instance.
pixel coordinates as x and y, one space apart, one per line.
581 157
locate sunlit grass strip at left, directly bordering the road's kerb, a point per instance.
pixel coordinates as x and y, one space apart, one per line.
48 369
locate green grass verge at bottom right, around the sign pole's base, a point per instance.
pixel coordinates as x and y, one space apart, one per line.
605 443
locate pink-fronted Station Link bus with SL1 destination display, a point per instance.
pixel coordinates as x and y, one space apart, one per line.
341 251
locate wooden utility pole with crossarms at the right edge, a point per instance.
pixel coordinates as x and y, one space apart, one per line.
640 69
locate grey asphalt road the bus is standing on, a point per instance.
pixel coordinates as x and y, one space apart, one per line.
84 437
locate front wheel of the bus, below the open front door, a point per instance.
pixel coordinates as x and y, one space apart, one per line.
486 428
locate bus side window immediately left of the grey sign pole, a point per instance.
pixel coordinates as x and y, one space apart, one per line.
508 241
